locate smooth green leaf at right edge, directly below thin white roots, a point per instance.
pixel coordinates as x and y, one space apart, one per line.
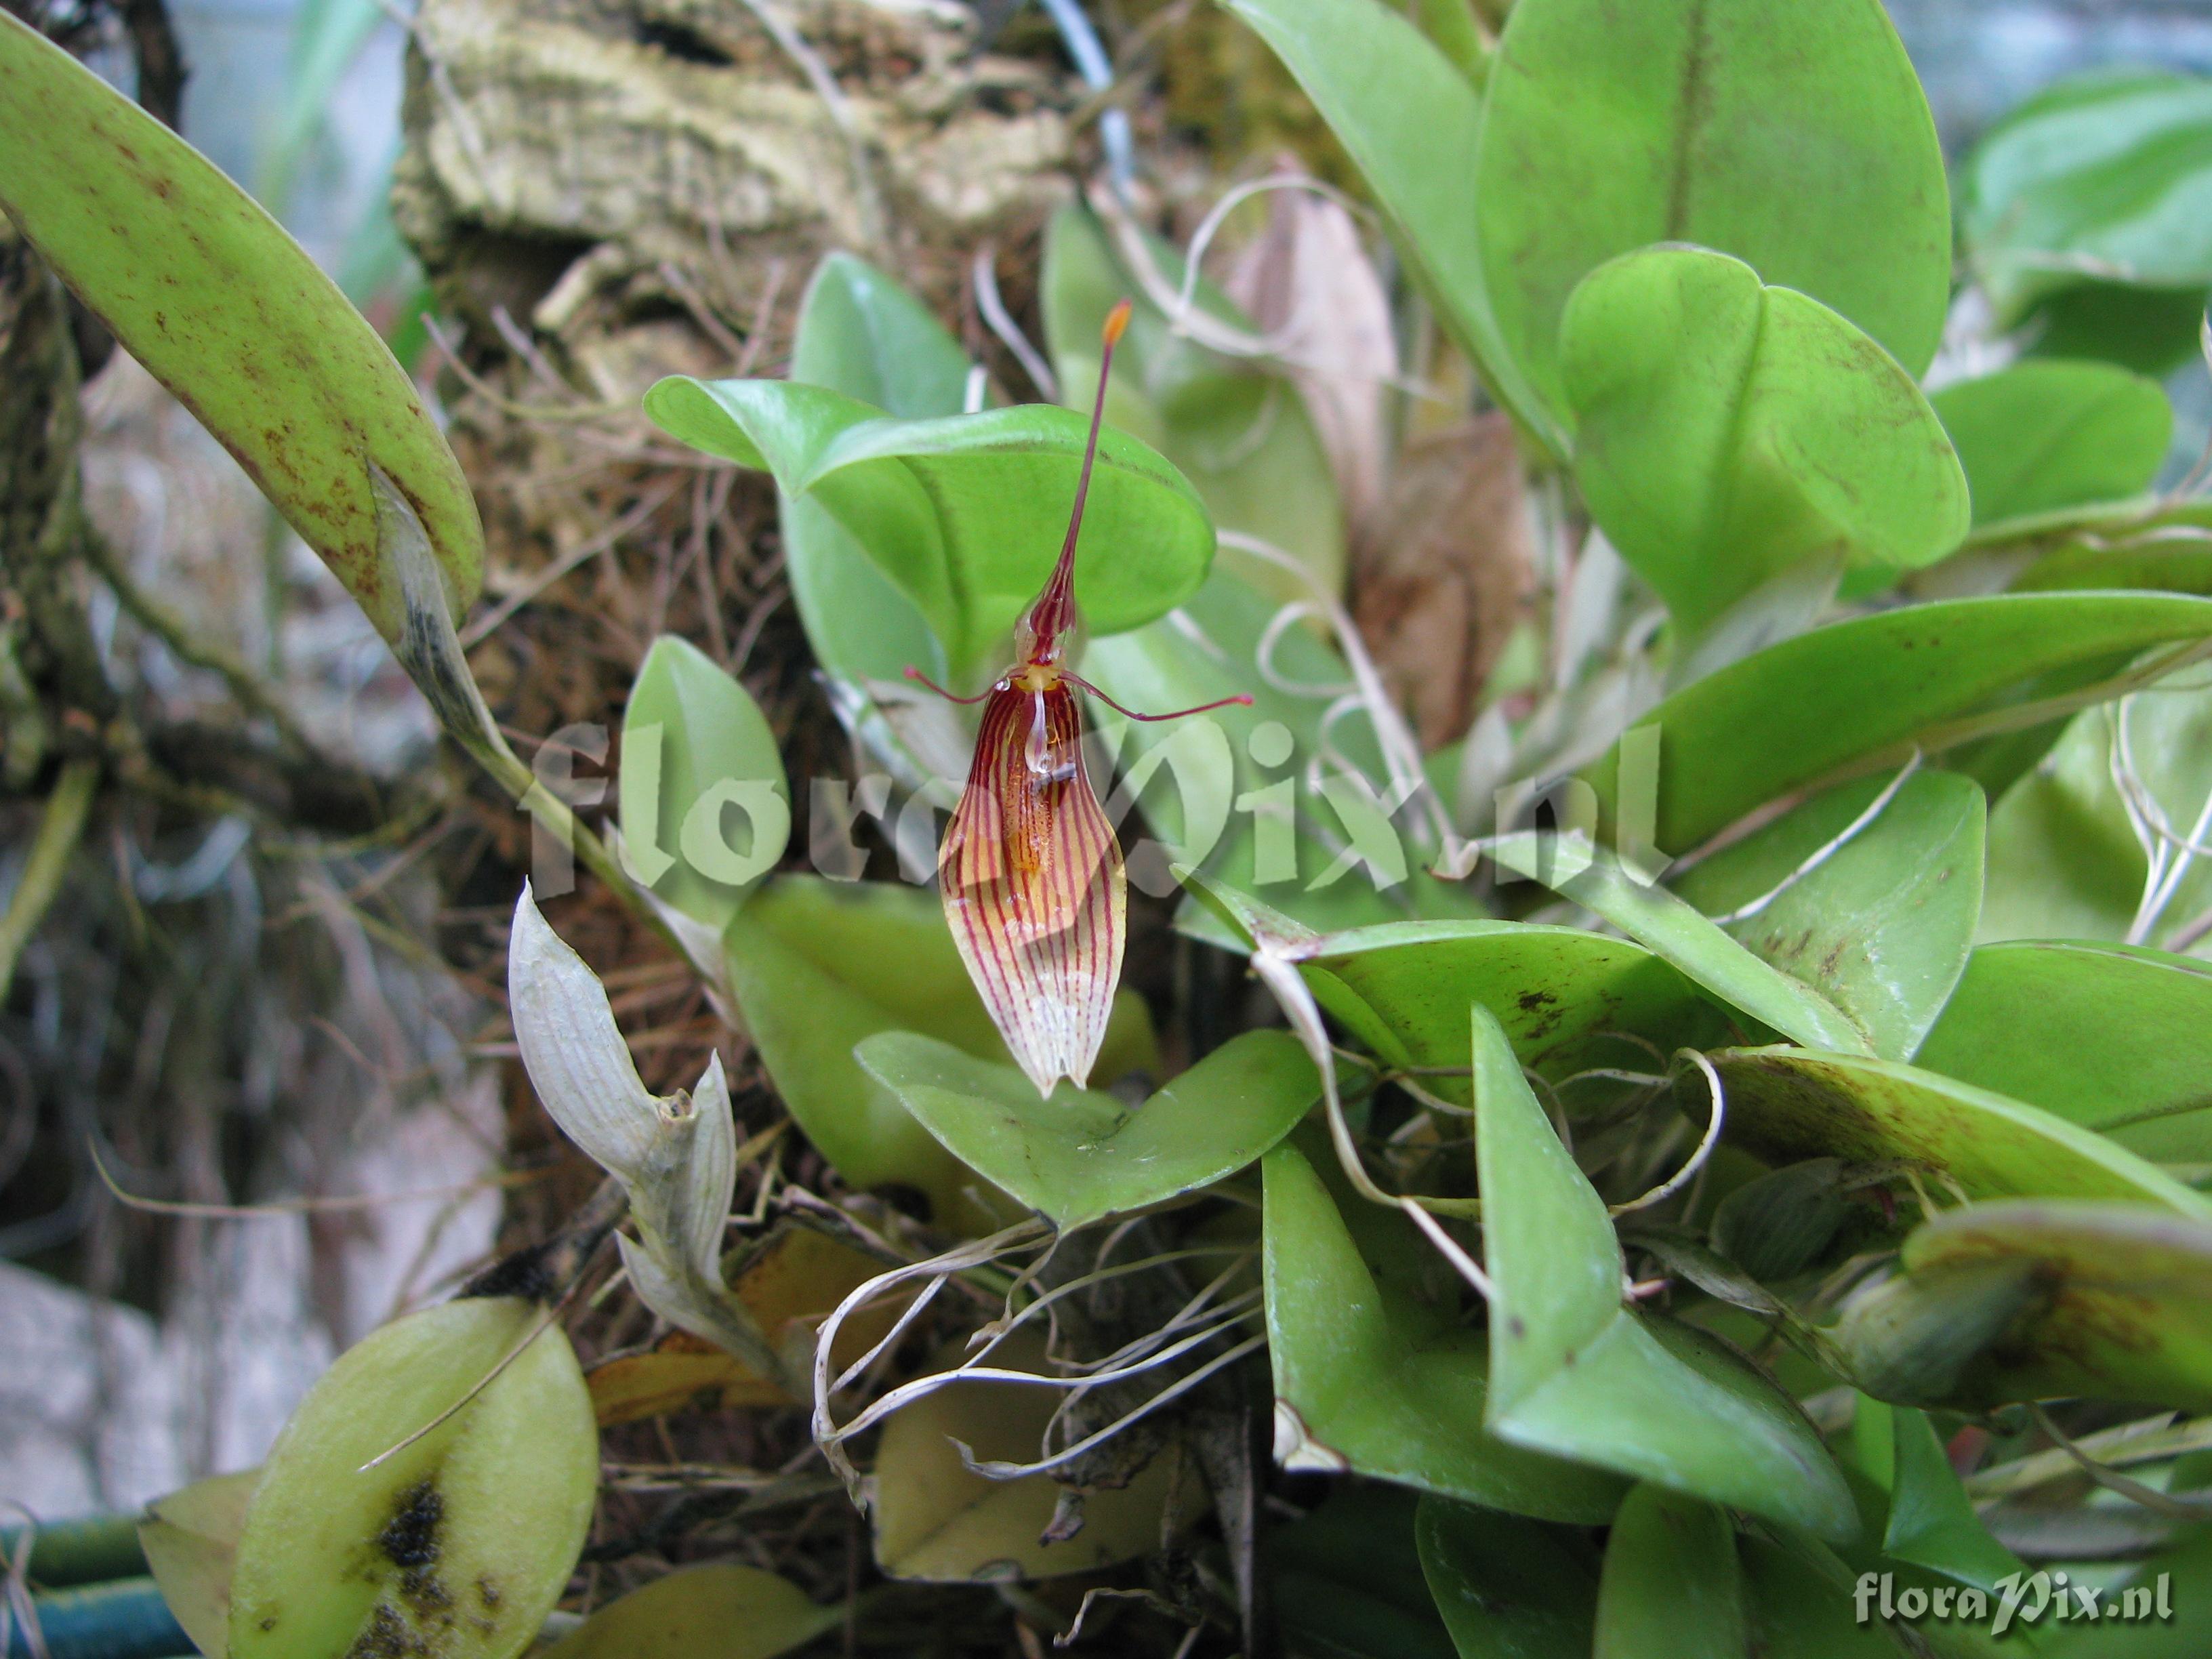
2114 1039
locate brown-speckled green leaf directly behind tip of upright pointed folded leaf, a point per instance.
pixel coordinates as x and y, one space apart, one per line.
1558 992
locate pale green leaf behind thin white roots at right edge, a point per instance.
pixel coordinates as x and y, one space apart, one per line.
2063 855
